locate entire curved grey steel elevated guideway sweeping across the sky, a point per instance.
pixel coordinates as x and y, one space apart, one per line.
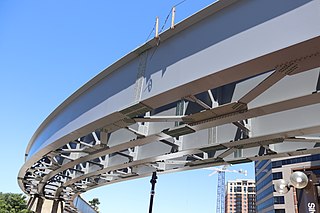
236 82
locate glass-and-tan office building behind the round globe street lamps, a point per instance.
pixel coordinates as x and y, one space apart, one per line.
269 171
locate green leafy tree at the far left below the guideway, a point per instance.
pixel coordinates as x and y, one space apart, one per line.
13 203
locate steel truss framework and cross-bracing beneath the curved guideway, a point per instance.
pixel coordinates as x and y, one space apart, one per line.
99 158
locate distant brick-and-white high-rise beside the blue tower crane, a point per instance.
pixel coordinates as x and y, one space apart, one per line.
240 196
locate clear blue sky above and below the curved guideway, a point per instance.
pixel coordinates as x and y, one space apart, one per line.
48 49
